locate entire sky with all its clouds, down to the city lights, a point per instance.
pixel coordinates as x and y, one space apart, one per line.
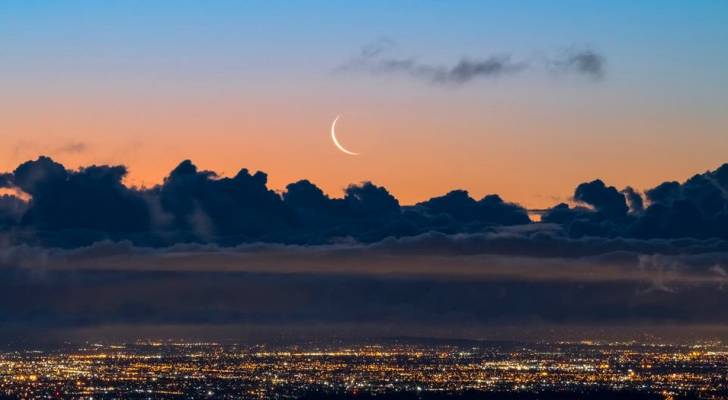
615 108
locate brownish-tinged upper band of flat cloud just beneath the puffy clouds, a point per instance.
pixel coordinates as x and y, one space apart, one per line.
536 251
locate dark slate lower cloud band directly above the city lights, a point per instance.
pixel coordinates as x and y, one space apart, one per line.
226 297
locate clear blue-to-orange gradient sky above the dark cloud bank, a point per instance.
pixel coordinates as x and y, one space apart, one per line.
253 84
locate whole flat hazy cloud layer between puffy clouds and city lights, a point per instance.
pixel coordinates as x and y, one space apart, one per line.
512 275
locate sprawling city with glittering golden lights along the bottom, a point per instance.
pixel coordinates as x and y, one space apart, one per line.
391 369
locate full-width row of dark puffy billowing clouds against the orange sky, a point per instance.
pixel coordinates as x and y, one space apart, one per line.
55 206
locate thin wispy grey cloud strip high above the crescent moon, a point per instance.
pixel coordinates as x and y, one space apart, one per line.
374 58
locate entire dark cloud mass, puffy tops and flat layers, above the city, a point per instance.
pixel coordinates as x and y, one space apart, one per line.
81 249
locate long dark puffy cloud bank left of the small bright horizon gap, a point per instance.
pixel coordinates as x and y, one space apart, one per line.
71 208
